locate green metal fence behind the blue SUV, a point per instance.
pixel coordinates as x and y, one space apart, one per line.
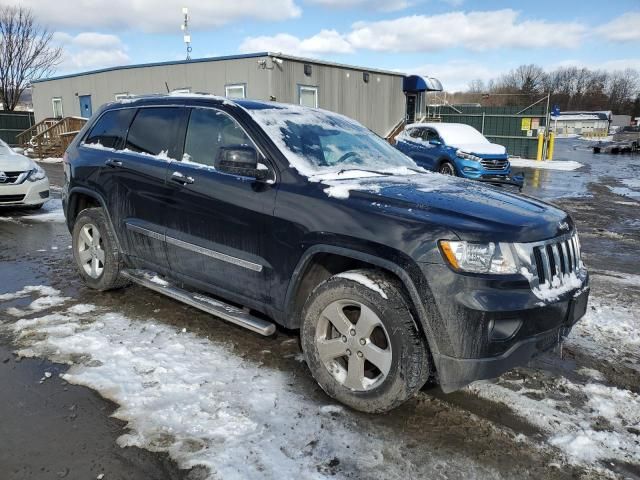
516 128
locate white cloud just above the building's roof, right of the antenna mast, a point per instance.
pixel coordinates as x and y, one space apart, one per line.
327 41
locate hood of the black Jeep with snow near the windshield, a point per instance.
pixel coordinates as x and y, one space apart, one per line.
473 211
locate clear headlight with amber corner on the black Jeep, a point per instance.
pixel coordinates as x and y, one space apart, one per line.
470 257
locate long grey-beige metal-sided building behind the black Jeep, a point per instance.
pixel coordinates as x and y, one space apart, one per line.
376 98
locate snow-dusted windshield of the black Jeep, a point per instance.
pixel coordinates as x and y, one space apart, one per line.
318 142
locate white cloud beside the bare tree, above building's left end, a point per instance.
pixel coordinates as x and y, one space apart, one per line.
90 50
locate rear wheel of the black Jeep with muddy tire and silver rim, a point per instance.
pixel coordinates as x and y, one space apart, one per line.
95 251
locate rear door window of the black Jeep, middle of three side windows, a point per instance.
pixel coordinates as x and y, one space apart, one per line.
156 130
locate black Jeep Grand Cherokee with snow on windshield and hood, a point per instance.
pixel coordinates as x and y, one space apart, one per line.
260 212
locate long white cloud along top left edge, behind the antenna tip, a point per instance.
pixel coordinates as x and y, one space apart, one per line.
155 16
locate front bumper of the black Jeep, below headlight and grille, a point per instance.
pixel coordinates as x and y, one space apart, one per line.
487 326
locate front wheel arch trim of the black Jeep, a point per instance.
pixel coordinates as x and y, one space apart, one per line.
401 273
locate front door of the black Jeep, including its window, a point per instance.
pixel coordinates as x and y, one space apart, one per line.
216 220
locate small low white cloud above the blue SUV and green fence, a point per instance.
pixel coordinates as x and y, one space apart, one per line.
455 75
